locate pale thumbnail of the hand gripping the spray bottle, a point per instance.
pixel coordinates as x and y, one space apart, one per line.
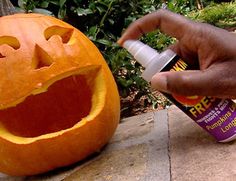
159 82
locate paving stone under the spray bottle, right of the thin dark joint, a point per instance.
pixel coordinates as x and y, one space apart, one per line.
195 155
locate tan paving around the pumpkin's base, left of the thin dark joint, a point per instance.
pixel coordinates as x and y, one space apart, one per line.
137 151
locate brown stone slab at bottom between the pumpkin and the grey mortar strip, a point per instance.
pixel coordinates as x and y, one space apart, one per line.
115 165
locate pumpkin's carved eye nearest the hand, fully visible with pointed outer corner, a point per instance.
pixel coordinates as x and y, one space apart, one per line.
64 33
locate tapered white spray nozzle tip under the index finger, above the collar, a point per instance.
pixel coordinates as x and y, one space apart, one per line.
141 52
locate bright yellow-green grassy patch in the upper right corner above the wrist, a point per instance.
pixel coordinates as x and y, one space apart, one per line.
221 15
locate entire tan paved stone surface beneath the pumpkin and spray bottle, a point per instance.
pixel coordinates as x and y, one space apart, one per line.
158 146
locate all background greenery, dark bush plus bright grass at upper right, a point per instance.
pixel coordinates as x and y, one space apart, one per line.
103 21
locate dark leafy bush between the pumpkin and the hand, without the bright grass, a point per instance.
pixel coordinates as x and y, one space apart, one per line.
103 22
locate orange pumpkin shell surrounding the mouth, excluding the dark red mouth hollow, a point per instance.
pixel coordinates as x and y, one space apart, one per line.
39 51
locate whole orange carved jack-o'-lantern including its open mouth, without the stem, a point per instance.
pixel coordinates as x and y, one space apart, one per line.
58 100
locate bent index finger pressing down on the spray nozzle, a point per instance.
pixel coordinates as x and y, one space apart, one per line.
170 23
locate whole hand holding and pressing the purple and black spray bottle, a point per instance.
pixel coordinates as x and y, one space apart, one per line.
211 48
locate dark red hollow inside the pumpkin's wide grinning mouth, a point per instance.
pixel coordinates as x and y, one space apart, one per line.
63 105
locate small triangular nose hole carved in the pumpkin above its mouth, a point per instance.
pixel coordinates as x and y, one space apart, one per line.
41 58
